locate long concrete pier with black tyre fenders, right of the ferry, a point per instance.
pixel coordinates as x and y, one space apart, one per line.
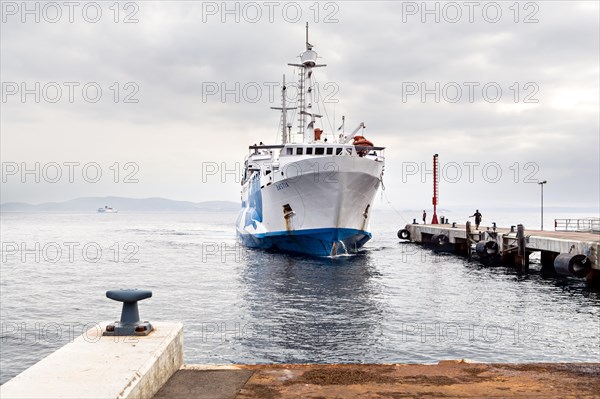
511 248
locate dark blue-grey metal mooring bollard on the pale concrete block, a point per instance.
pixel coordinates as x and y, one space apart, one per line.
130 323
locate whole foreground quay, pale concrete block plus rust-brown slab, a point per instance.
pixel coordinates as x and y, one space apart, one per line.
151 367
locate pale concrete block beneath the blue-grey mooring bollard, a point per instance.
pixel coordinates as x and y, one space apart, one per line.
96 366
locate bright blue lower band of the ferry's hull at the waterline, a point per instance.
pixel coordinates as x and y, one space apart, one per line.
315 242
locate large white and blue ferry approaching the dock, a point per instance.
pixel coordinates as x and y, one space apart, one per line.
313 193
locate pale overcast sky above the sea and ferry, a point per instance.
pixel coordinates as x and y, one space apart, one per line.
164 123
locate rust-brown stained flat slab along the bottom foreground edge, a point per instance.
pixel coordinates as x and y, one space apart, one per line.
448 379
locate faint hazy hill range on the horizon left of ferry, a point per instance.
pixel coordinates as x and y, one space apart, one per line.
91 204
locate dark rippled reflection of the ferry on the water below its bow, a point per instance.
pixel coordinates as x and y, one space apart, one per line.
311 307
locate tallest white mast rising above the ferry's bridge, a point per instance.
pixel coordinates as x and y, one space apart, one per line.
305 90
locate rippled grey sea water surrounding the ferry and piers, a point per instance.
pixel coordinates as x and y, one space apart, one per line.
393 303
